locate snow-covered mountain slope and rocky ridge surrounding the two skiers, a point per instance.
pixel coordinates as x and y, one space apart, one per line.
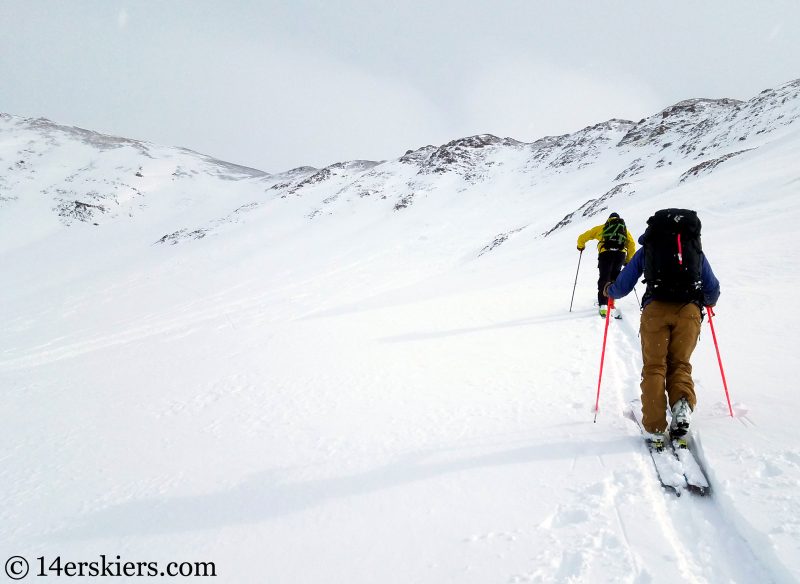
369 372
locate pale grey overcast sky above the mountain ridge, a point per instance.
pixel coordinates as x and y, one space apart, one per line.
277 85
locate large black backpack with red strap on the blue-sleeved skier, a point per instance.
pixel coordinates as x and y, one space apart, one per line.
673 256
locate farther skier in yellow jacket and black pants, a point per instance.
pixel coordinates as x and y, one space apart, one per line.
615 248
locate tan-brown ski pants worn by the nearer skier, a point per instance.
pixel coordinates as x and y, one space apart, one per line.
669 332
